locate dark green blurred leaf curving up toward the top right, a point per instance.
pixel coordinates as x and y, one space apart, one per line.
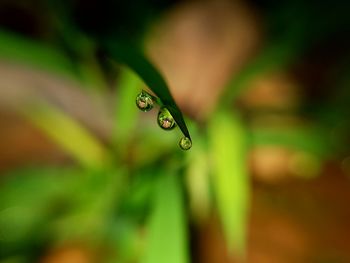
280 51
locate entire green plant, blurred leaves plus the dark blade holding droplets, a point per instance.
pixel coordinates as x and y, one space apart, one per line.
131 195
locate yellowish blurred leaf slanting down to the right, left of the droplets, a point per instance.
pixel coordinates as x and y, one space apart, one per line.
69 135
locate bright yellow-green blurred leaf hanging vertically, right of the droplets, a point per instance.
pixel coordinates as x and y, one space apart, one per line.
230 178
